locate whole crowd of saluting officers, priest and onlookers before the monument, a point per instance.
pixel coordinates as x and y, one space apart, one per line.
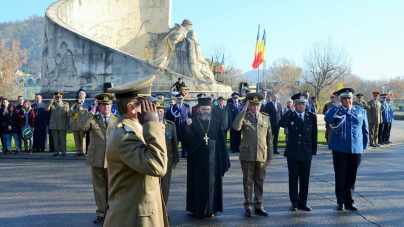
133 145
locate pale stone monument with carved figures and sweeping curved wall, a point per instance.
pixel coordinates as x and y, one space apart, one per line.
89 43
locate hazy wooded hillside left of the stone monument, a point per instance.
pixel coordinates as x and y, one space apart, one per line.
30 34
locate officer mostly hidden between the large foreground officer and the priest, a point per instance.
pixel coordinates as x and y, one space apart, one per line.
172 149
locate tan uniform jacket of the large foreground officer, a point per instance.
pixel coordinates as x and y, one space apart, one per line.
137 158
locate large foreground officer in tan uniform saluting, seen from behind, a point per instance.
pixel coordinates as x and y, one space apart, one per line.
137 158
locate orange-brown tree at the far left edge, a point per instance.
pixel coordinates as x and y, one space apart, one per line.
11 59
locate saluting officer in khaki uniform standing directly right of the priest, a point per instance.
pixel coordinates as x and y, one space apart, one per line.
256 151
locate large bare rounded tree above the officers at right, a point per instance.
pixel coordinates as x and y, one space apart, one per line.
326 63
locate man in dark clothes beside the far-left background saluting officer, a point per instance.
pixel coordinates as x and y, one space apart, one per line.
41 117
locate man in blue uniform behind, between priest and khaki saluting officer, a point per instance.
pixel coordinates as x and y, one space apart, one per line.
235 136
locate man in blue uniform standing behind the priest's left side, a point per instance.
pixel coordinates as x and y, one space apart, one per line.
178 114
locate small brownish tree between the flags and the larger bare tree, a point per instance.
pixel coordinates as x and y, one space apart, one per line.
283 77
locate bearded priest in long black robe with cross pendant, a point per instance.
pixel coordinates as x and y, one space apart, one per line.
207 159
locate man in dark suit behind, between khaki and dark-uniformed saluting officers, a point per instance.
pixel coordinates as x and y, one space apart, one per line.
274 110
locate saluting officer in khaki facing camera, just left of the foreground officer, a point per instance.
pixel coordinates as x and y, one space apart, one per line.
100 125
